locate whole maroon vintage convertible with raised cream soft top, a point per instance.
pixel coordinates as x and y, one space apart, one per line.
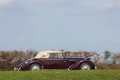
55 60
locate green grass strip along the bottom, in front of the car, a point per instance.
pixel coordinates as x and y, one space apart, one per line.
61 75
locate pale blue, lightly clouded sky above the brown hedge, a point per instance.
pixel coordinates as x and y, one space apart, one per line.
75 25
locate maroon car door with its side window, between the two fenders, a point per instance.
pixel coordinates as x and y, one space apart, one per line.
57 61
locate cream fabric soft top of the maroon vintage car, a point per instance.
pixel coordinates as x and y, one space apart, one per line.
46 54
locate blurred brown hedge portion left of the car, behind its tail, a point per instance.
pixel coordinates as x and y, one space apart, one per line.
10 59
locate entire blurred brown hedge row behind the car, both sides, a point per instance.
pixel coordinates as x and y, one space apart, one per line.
106 60
